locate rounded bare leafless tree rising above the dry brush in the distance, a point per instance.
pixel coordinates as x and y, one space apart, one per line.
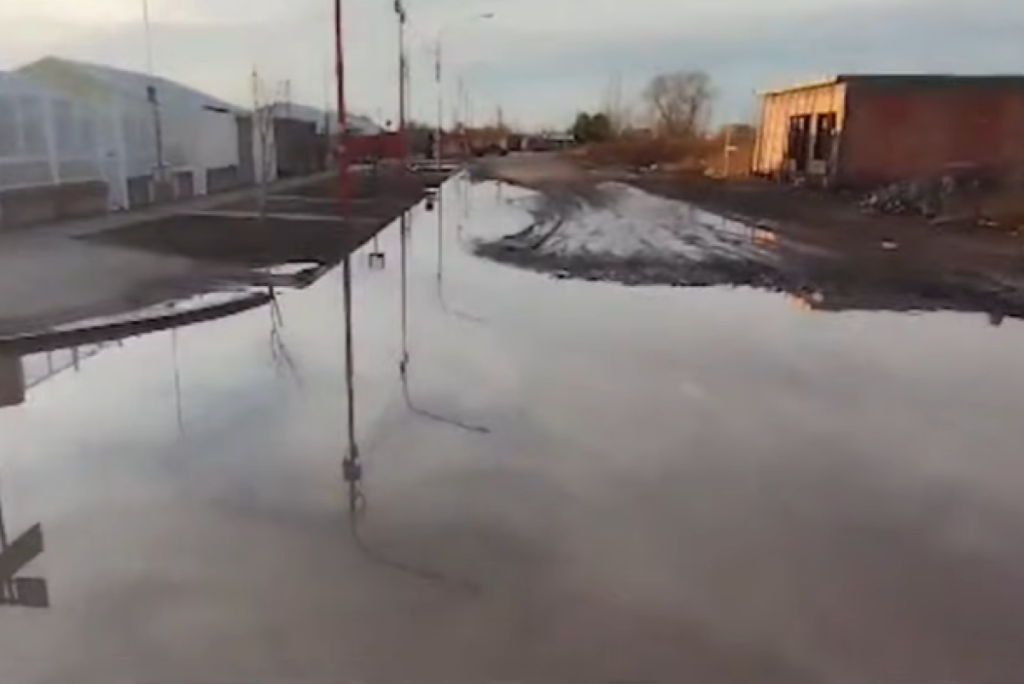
680 103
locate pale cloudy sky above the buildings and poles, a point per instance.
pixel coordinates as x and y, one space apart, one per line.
537 61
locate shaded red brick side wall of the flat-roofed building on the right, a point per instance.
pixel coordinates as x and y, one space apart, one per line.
917 133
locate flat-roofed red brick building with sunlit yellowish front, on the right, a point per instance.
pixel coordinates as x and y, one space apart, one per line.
869 130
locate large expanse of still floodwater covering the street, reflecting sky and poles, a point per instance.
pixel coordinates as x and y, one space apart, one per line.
588 484
